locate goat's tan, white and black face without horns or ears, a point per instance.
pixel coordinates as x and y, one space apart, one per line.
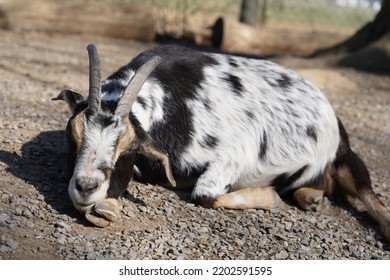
101 153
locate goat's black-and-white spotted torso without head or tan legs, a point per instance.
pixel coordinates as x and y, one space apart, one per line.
230 121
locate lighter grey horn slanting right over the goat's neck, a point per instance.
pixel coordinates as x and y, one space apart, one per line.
135 85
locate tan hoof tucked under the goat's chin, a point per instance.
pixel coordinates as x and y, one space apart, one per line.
103 212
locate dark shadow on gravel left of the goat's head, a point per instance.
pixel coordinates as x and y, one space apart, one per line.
42 164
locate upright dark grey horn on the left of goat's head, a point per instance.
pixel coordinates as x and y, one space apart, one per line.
94 80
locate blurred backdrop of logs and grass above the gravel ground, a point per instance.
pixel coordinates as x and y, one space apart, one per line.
262 27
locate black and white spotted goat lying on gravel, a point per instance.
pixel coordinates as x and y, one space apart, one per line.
239 131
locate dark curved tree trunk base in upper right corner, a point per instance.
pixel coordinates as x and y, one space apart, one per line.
369 33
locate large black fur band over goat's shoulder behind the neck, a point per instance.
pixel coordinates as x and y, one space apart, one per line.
180 74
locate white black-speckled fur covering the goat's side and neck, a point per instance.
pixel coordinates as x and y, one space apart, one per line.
235 159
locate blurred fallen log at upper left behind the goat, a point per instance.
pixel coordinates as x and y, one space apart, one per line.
89 17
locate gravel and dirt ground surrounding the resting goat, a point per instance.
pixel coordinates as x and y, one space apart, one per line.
37 220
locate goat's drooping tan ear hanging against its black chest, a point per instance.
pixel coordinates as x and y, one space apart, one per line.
149 150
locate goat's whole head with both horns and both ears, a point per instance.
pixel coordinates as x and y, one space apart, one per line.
103 143
